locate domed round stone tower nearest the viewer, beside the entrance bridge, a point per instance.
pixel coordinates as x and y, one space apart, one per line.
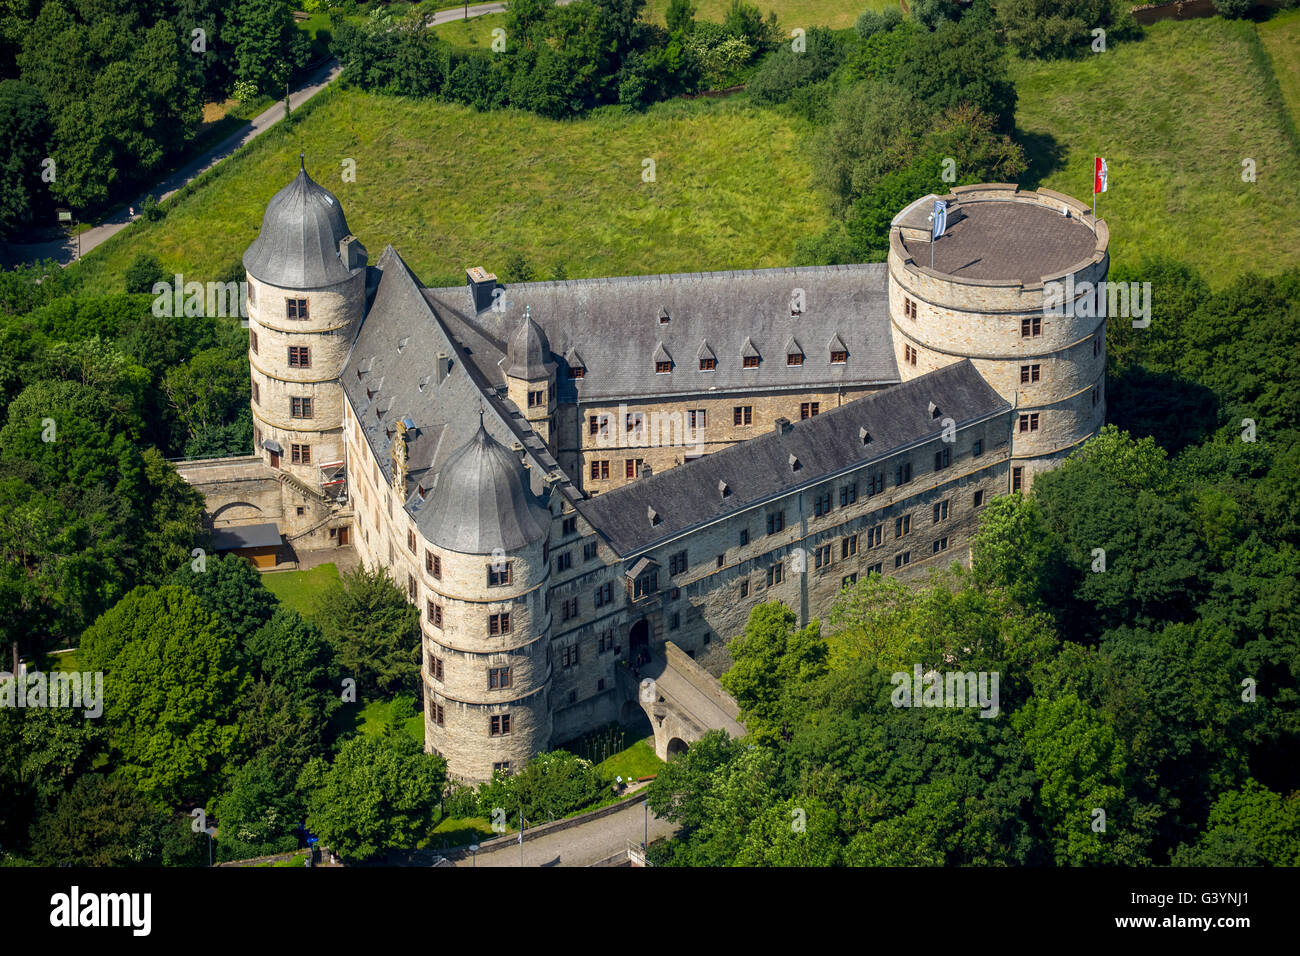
487 620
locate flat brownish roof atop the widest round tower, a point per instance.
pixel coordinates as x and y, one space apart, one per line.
1007 240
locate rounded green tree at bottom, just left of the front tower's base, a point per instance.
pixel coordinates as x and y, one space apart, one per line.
380 794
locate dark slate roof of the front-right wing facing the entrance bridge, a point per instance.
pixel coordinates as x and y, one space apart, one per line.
761 469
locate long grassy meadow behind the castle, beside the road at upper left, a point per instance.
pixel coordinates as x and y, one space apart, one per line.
450 188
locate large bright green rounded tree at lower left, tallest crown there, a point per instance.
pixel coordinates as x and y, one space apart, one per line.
172 689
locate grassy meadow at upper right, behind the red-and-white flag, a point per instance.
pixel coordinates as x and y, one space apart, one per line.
1175 116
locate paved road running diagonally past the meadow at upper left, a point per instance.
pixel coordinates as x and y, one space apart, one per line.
64 250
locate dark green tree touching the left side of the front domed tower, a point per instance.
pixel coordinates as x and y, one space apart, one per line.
375 631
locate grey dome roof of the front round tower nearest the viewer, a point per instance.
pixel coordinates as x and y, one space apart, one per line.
480 501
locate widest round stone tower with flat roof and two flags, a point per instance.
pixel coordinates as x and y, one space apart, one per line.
1012 288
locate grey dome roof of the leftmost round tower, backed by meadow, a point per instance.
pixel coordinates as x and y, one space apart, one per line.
297 246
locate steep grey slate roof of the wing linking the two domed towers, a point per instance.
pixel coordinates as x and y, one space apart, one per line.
395 369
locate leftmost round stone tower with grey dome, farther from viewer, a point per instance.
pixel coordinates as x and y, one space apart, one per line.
306 300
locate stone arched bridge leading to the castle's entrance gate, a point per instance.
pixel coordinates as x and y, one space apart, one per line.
684 702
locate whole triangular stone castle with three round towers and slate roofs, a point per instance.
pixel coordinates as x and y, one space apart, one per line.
567 475
